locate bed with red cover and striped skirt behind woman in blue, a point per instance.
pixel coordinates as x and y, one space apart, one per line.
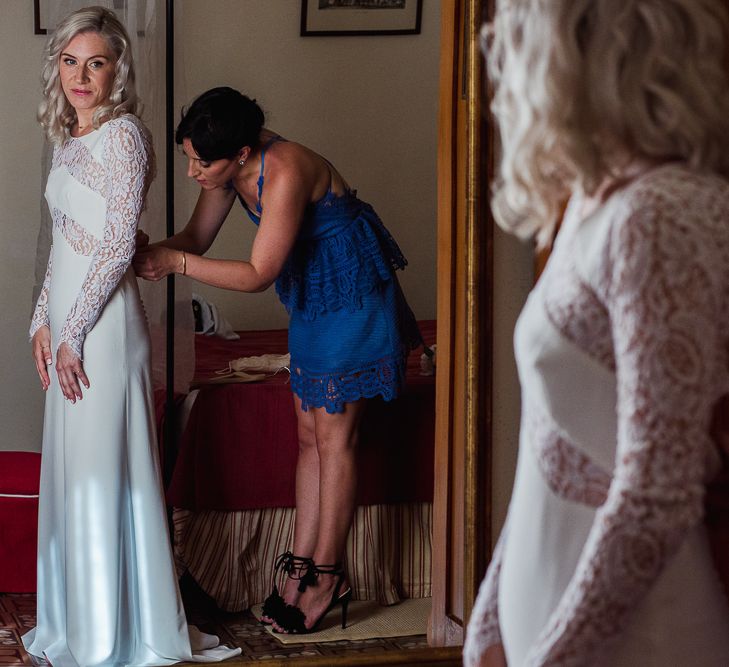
232 483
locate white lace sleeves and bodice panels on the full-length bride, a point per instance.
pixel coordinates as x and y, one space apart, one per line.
122 179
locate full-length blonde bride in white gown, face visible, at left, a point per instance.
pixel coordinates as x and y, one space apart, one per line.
107 591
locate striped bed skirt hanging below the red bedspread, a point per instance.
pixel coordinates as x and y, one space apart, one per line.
231 555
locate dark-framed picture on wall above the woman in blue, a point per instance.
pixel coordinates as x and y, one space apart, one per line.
332 18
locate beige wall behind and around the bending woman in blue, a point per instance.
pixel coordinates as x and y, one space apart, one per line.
369 104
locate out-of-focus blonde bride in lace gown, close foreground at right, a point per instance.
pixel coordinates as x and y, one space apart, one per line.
622 346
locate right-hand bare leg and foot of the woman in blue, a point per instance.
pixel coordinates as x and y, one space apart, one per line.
336 442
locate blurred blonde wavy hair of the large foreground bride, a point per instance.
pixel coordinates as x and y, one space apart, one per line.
584 87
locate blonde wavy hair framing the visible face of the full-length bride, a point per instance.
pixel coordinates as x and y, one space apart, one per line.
55 113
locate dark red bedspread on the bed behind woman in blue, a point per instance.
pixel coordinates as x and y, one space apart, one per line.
239 448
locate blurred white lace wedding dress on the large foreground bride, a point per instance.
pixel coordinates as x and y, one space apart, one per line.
623 351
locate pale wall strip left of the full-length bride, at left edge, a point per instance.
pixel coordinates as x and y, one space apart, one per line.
21 398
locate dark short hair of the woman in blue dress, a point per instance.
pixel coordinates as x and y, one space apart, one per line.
219 123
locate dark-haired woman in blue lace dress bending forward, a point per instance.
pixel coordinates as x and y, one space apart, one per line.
333 264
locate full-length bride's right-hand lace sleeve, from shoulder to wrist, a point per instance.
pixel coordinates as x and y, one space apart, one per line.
126 161
